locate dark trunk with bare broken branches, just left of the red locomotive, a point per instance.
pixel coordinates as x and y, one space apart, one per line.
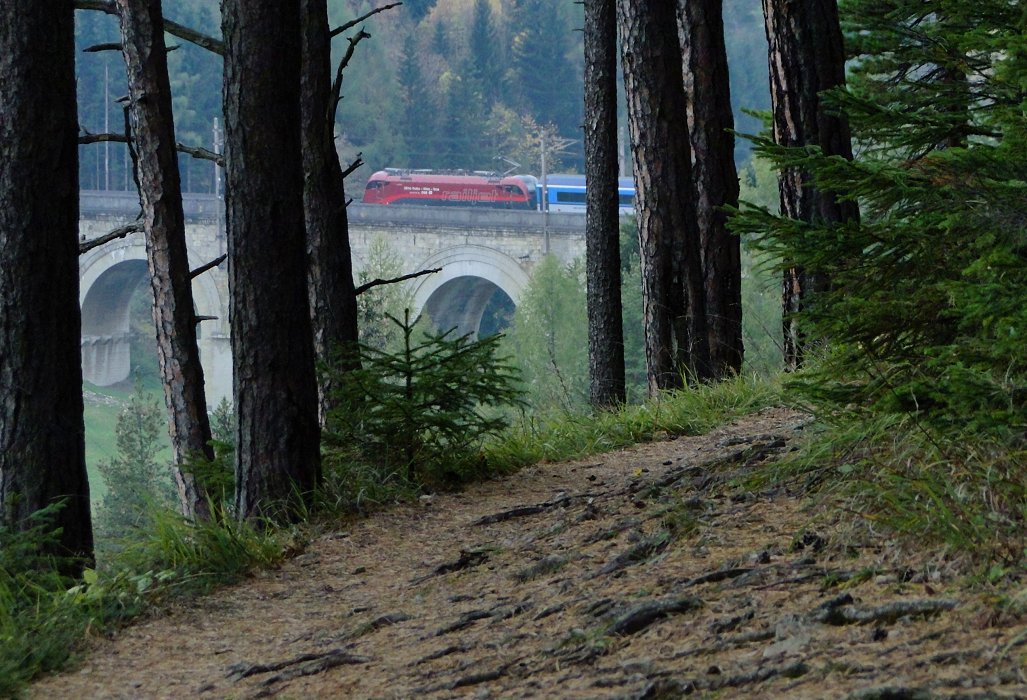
333 301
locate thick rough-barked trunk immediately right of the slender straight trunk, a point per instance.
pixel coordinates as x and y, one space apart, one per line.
673 305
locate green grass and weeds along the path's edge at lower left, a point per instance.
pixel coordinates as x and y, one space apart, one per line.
44 623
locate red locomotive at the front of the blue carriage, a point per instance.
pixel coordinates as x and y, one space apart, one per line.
459 188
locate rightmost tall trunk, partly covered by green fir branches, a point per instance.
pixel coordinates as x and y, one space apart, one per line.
807 58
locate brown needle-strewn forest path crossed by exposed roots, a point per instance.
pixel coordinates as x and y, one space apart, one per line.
637 574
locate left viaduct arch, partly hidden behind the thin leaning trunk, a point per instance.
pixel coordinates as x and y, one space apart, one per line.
109 278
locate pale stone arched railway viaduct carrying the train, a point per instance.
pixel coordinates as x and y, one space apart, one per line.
486 259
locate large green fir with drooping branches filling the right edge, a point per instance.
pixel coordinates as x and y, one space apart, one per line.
926 310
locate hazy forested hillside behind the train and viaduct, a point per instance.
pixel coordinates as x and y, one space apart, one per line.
440 85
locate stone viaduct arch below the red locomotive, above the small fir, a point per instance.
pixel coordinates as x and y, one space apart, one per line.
476 286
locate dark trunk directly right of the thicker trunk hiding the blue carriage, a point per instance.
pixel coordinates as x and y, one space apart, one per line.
702 32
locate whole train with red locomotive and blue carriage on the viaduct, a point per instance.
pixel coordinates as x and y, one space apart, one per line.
462 188
